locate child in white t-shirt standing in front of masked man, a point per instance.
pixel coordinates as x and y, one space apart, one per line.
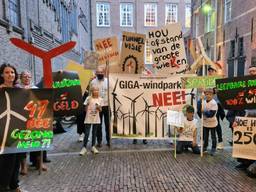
93 108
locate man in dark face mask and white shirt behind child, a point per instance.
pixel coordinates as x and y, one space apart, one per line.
102 82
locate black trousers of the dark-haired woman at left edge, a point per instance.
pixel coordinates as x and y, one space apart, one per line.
9 171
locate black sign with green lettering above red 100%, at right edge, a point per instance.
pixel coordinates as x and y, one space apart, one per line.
237 93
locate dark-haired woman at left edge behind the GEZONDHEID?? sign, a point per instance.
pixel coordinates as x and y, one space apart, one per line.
9 163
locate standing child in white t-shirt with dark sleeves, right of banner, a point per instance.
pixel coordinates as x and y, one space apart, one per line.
209 111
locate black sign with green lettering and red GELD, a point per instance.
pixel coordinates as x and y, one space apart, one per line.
67 94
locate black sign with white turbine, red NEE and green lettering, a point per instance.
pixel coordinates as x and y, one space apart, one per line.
26 118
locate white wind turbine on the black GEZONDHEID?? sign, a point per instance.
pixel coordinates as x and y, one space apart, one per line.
8 112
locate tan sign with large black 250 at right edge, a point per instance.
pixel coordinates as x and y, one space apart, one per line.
244 138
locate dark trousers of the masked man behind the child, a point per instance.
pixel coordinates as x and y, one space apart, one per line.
104 113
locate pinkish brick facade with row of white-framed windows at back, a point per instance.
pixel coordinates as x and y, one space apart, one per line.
111 17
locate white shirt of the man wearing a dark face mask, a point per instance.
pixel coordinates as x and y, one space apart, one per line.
103 88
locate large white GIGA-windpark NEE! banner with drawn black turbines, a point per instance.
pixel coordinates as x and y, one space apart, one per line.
139 104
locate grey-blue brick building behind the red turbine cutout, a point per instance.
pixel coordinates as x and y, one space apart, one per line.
46 24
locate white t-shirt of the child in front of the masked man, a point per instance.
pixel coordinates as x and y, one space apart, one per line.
92 114
